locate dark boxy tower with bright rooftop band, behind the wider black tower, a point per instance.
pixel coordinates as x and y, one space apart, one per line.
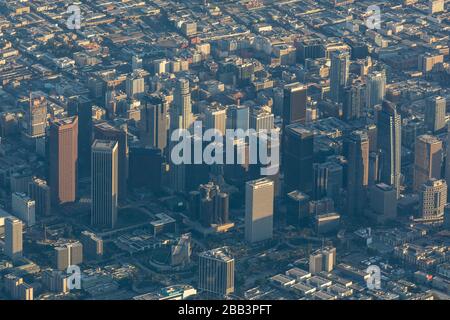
294 103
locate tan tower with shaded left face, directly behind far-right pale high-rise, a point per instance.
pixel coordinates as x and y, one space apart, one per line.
427 159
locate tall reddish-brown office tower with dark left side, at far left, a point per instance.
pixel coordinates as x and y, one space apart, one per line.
63 155
